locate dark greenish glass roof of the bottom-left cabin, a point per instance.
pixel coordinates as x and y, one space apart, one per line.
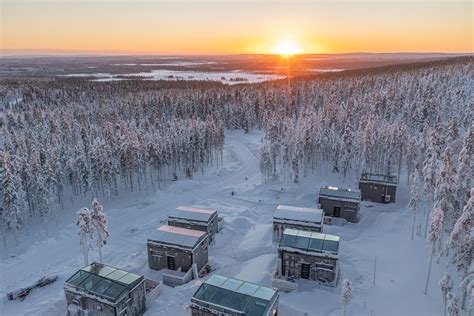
104 281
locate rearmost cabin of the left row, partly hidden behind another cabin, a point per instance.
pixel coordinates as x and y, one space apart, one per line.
195 218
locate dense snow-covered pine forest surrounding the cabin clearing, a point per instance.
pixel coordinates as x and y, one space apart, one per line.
67 139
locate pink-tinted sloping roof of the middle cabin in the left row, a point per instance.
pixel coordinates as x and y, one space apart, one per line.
177 236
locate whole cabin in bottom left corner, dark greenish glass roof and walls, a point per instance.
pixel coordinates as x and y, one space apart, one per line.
99 289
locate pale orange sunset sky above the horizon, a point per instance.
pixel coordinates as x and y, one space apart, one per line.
234 27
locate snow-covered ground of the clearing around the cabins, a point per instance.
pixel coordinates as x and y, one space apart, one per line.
243 249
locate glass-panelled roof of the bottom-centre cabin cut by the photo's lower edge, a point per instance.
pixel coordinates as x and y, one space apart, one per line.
232 294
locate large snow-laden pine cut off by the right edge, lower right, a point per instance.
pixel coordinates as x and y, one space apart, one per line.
461 242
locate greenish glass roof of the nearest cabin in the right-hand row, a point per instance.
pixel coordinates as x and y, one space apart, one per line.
310 241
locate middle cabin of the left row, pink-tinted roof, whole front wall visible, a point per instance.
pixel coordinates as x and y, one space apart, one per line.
177 248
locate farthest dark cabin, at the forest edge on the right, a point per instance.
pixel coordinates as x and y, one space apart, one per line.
381 188
